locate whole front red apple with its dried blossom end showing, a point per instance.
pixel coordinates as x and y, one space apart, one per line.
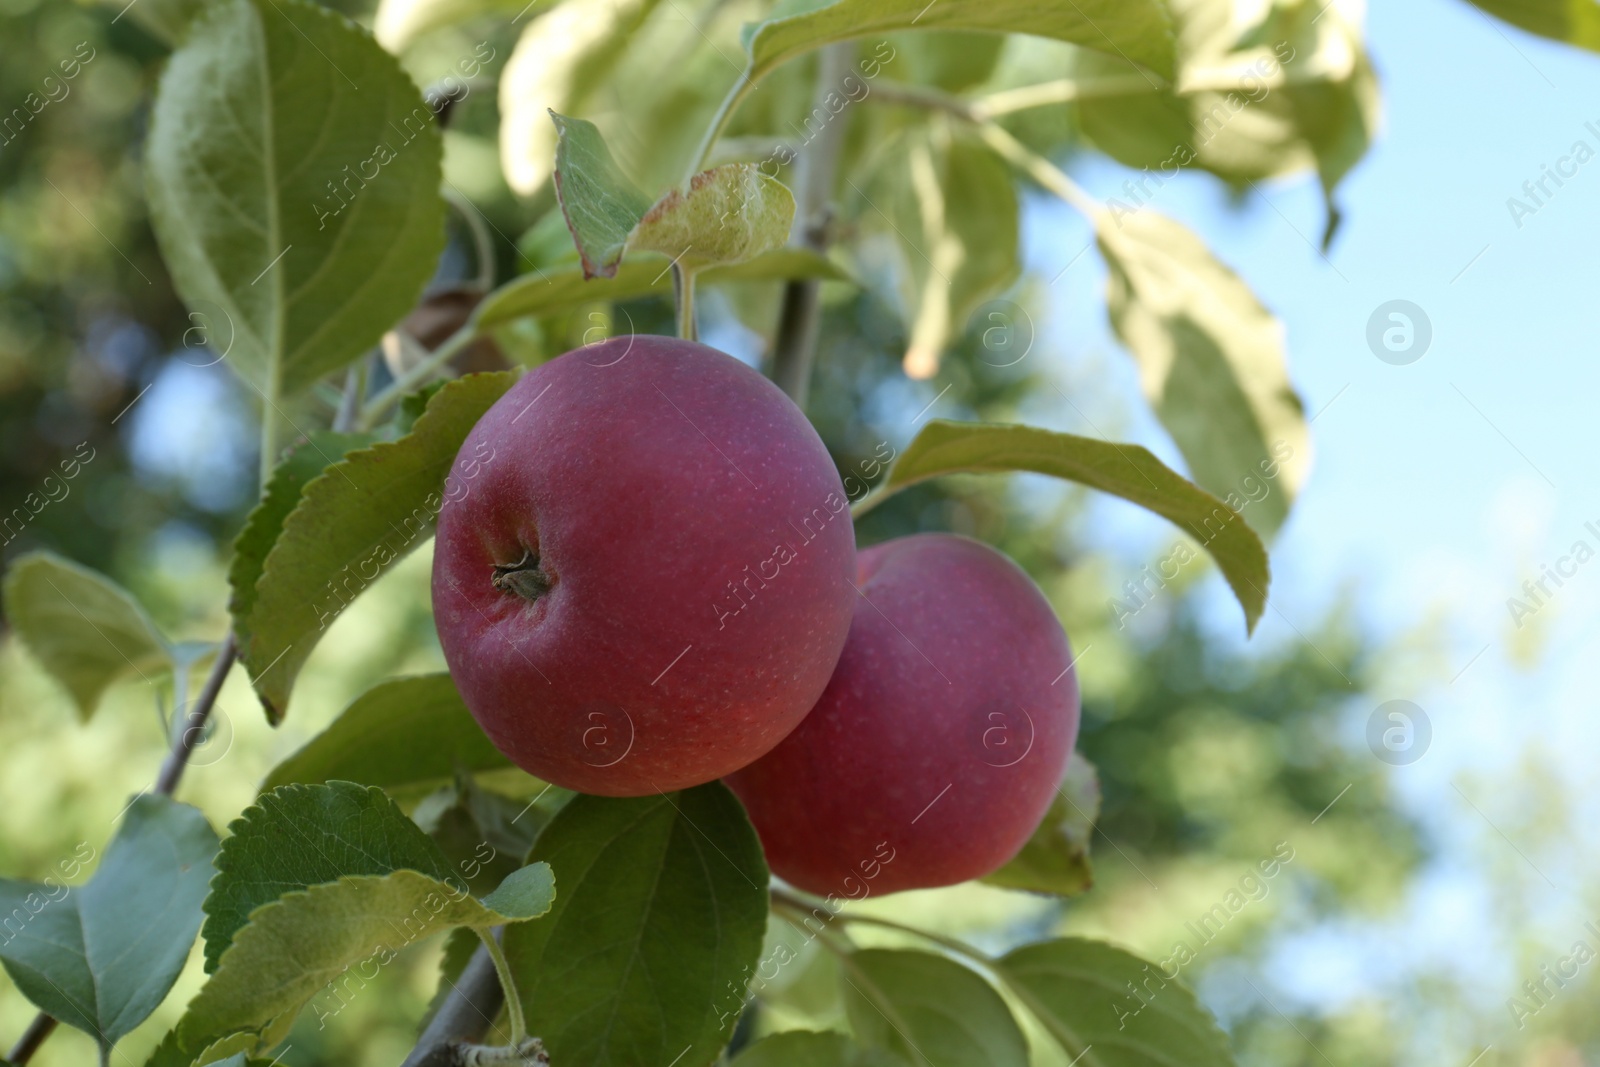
694 570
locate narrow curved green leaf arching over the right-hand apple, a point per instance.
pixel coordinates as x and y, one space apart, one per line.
1127 471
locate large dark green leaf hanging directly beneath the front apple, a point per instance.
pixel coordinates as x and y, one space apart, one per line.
660 924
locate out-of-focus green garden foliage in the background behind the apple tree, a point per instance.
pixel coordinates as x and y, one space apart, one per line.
1209 759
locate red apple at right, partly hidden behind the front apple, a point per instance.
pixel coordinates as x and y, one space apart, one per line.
942 738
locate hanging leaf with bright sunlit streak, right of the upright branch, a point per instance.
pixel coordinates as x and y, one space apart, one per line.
950 204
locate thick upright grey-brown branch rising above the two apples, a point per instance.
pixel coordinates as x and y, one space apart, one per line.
794 348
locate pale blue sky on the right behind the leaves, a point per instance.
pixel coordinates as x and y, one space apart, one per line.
1441 486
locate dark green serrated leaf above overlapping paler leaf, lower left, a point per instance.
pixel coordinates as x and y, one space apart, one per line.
305 836
